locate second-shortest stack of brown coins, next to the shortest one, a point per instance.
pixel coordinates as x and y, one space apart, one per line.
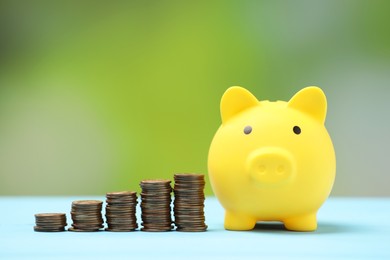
86 215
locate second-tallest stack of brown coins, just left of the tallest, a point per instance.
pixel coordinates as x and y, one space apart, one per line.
156 205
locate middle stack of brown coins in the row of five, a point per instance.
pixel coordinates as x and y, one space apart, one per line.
120 211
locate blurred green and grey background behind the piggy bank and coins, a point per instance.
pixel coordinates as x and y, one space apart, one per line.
98 95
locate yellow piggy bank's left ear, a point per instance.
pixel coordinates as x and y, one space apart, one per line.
236 100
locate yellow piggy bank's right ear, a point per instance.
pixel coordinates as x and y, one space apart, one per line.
312 101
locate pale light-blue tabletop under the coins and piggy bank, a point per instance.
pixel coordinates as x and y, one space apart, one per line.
349 228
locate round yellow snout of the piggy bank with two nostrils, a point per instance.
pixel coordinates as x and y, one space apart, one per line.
271 165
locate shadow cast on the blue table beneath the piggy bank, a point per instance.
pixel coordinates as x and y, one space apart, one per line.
323 228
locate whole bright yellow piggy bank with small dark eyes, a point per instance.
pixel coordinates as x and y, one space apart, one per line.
272 161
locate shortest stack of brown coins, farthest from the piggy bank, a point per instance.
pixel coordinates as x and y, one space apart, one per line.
50 222
